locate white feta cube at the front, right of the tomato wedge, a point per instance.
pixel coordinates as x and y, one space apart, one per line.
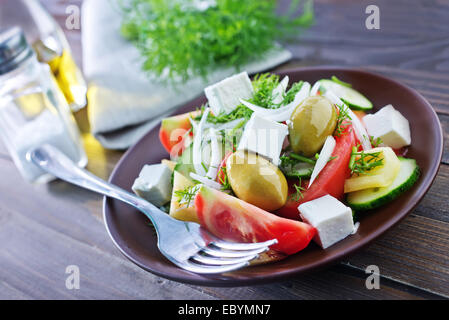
332 219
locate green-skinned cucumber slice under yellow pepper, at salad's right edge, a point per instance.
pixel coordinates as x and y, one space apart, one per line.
375 197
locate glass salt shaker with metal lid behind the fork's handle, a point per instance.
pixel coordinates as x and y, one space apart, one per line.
33 110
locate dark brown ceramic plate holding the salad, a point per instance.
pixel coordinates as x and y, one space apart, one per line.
131 233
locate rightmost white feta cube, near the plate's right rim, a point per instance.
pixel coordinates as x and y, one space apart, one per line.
389 125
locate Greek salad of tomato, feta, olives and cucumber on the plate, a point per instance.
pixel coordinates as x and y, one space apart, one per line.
266 158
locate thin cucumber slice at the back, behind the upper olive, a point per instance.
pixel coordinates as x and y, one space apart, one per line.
354 99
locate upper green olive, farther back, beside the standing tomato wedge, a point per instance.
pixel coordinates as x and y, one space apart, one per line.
312 121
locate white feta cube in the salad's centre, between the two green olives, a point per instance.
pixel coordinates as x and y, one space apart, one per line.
264 137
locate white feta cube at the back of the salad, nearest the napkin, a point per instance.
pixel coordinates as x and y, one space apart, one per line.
224 95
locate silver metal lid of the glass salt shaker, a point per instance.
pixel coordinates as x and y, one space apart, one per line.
14 49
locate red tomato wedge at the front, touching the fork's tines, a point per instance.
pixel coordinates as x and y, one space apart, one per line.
232 219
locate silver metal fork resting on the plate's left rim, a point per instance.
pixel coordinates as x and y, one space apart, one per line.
186 244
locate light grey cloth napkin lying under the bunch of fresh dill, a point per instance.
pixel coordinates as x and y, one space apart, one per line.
123 103
